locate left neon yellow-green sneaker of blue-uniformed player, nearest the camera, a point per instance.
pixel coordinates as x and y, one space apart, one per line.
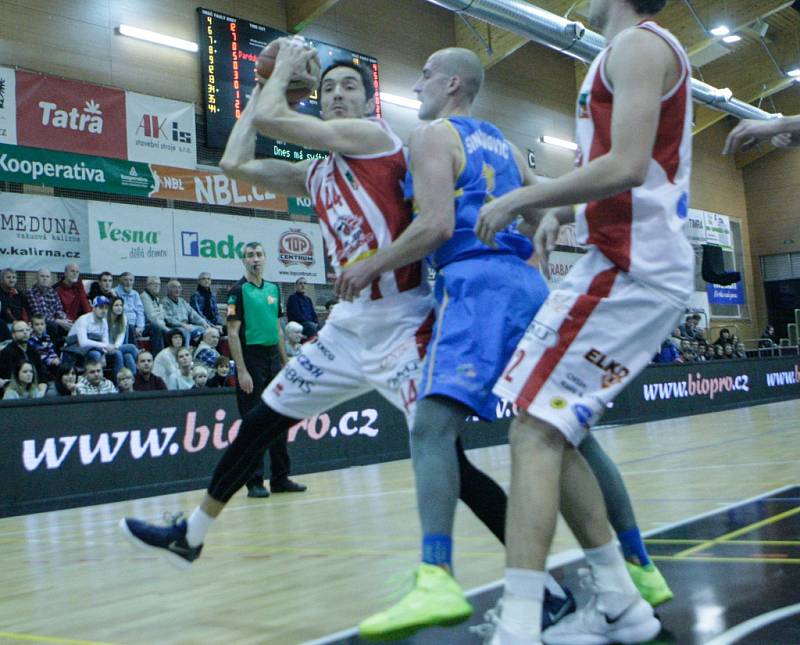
436 600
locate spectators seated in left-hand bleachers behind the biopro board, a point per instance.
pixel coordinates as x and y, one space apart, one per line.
60 340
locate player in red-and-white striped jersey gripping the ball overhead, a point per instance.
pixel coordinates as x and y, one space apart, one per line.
375 342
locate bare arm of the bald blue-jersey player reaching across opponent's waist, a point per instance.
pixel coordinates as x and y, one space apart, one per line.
435 159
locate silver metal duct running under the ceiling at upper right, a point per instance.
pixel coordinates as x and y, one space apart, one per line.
572 38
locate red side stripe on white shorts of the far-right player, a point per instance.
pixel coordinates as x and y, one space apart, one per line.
573 323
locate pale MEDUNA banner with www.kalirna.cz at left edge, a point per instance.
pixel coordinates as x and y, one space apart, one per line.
43 232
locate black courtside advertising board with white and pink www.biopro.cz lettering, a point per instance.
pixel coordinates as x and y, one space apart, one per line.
64 453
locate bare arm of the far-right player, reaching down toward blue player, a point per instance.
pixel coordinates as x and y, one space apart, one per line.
641 67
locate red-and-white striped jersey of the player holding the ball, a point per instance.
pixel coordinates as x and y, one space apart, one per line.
361 208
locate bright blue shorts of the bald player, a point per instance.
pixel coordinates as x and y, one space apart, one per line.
484 306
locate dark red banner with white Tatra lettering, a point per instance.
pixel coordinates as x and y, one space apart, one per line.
70 116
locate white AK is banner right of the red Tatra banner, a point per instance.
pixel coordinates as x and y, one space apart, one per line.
160 131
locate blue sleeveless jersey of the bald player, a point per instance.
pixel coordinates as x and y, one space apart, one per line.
488 171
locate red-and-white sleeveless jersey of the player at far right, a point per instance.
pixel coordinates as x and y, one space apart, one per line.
642 230
